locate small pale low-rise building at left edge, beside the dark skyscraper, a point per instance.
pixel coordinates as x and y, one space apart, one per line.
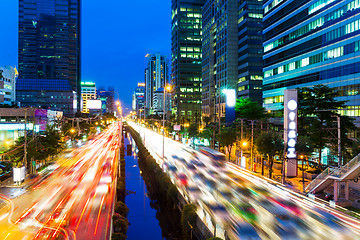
8 77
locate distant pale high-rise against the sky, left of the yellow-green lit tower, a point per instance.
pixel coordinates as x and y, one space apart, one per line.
156 76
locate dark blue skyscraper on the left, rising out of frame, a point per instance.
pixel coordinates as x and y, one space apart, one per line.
49 54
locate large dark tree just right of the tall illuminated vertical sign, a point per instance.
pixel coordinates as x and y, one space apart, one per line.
317 112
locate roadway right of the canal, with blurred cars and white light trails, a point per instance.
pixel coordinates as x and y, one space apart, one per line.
236 204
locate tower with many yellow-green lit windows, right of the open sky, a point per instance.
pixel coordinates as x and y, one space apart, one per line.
186 55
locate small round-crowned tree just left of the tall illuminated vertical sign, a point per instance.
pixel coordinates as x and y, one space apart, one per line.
270 145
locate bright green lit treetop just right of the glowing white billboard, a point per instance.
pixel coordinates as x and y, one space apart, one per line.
245 108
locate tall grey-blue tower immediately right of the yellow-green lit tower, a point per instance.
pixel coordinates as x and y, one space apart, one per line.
220 55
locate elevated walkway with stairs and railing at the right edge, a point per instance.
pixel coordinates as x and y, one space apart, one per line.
334 175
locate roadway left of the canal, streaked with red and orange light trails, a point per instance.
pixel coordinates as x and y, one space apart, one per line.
72 200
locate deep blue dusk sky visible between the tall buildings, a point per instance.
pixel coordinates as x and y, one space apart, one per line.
116 36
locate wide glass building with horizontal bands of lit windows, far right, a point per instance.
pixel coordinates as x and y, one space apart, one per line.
312 42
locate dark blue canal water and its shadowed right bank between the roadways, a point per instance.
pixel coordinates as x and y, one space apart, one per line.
145 213
